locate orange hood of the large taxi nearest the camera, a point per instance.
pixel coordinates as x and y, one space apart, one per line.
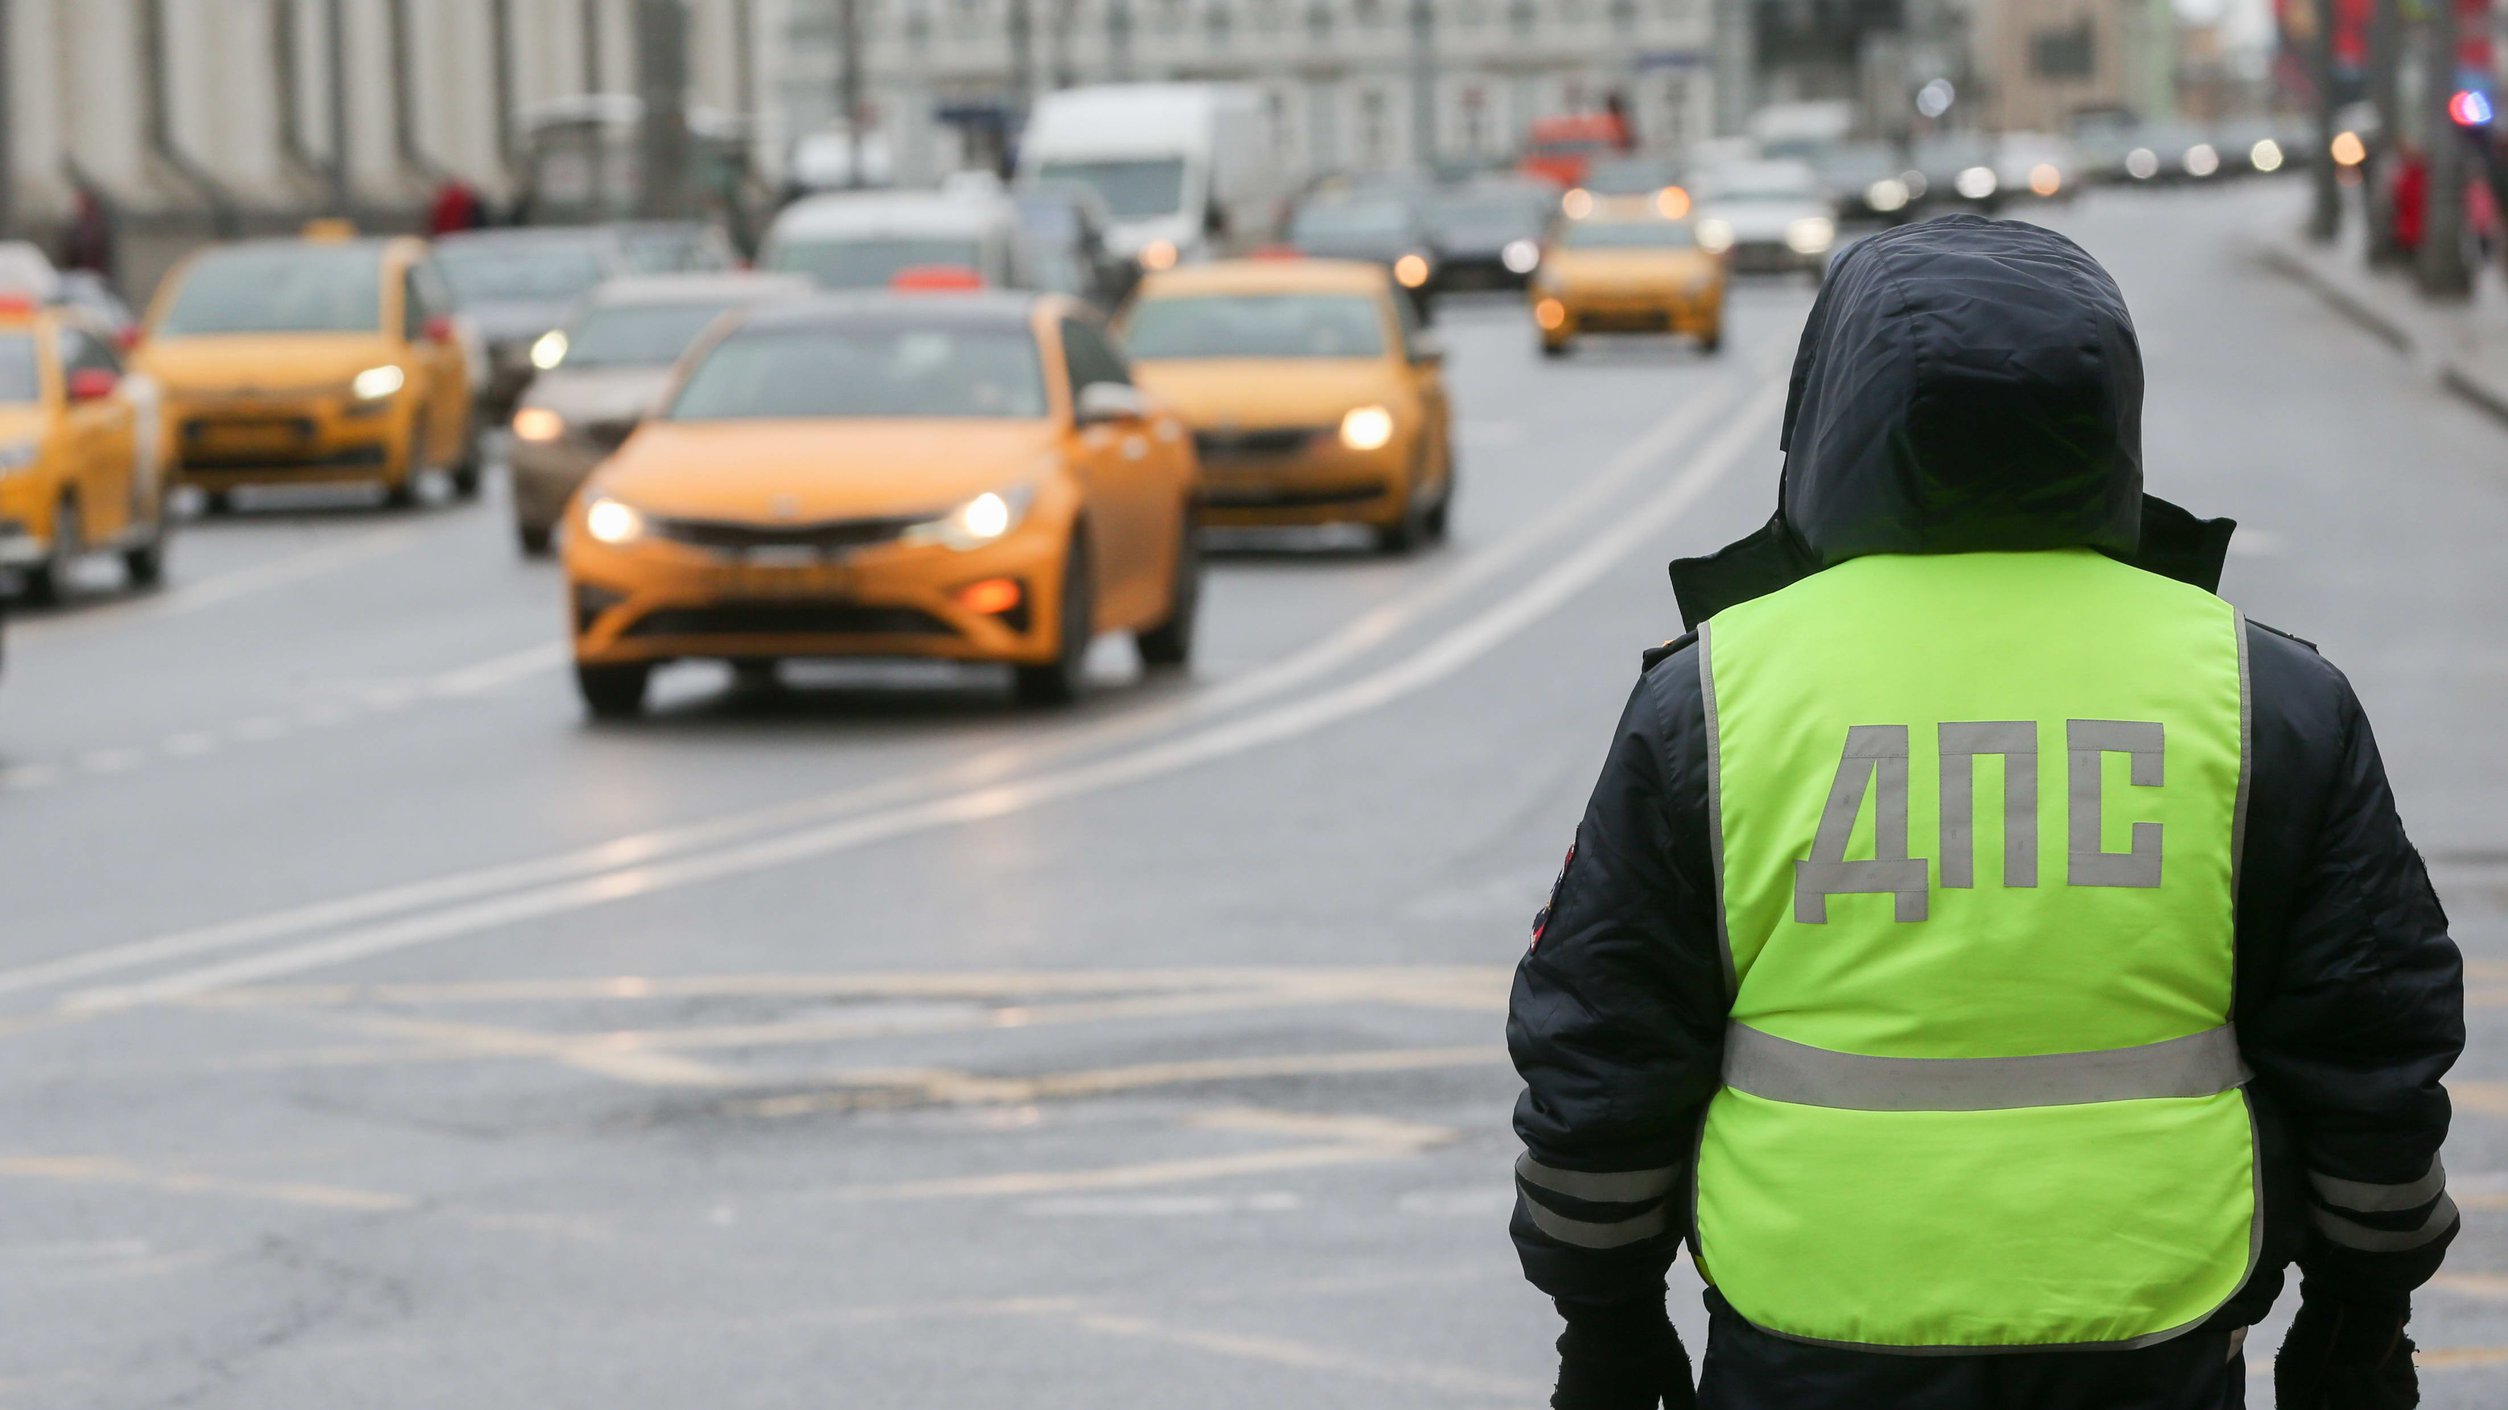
821 470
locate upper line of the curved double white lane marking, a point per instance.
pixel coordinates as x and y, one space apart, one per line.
633 849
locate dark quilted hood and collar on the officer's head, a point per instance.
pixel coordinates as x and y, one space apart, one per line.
1963 385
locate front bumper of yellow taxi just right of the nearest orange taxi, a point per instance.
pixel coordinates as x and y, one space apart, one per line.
1298 475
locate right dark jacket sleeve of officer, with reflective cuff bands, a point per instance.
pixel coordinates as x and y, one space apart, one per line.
2351 992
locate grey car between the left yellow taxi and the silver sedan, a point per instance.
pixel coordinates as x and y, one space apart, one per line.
515 287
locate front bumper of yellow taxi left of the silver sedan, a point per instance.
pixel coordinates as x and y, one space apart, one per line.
315 440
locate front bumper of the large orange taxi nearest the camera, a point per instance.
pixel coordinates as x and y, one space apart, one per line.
663 601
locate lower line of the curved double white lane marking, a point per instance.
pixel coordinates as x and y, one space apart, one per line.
1441 659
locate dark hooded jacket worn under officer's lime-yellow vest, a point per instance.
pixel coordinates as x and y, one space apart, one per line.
1975 385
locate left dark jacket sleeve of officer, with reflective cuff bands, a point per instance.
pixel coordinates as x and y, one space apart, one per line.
1616 1020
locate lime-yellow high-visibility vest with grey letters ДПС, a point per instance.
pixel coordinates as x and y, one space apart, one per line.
1978 842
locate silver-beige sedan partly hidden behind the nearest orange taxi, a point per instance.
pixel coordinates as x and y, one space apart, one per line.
611 363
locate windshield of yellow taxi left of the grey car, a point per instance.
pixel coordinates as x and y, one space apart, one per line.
280 290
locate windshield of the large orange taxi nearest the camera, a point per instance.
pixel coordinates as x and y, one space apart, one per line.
867 373
